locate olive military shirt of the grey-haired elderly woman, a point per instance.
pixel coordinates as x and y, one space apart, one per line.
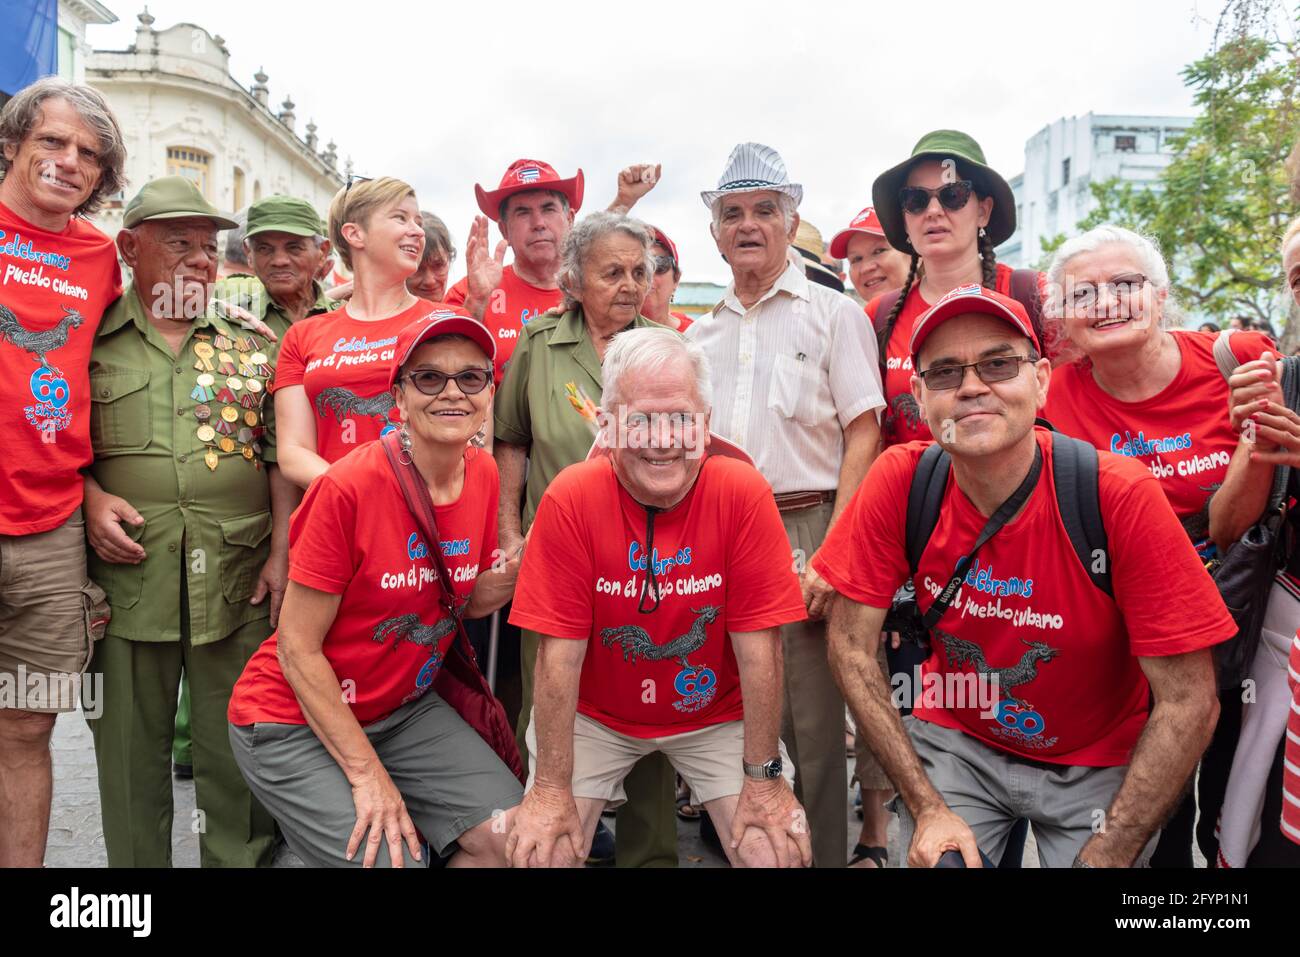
549 379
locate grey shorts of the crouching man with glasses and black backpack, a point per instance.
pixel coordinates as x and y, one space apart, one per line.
991 790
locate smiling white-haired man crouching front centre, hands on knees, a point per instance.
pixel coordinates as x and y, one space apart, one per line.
657 575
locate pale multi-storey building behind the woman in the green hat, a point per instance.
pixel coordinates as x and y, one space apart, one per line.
1064 159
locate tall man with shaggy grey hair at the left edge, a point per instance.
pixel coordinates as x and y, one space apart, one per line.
63 154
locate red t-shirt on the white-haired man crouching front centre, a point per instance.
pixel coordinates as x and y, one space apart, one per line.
723 565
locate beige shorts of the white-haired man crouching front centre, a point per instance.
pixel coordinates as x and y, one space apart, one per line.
709 760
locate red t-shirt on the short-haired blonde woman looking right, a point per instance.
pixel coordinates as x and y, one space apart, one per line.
344 365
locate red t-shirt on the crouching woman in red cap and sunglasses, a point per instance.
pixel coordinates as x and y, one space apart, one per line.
391 634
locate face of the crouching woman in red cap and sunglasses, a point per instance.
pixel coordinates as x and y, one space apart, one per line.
452 417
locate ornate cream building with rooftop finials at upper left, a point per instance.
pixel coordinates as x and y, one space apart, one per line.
183 114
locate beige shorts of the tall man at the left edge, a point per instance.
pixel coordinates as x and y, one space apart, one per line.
50 617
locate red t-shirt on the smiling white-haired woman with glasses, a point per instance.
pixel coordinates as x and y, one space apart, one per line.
1182 434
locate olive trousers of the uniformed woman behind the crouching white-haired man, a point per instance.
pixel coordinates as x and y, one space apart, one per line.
645 833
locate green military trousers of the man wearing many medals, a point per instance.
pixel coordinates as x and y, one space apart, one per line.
133 750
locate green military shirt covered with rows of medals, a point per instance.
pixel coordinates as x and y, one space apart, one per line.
181 439
